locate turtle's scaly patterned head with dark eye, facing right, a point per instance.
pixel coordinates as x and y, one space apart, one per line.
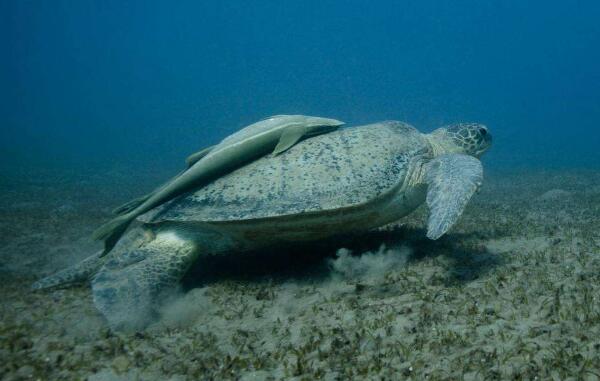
468 138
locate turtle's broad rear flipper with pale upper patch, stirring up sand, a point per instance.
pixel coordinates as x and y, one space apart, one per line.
127 287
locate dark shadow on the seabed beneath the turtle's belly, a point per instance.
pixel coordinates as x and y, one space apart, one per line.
312 261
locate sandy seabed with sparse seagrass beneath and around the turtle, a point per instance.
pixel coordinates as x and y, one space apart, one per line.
513 292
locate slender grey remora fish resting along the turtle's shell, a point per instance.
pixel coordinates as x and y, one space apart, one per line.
277 134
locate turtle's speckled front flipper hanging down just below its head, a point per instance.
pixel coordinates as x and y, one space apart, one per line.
452 179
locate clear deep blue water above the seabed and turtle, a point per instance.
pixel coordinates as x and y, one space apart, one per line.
102 84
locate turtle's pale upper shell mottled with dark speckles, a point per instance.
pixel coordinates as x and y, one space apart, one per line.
341 169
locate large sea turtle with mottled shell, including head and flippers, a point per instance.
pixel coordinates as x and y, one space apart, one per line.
349 180
